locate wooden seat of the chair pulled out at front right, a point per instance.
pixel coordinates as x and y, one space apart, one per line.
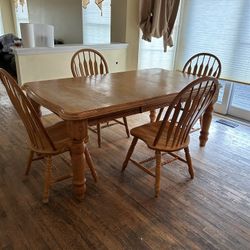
147 133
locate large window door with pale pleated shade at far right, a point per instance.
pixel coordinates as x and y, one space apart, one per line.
221 28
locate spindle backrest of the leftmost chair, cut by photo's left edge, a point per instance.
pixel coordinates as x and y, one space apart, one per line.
39 138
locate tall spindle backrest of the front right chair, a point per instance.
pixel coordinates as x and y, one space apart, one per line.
186 108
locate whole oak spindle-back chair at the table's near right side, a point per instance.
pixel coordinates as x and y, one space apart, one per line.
171 133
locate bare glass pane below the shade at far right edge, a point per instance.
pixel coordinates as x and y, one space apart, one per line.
241 96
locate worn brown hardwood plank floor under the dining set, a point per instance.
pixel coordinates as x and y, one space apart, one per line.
120 211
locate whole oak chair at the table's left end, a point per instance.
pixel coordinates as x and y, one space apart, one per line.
44 142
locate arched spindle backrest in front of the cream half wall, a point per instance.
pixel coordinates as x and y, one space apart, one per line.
87 62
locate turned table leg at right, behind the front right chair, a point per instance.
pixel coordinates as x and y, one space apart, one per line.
206 121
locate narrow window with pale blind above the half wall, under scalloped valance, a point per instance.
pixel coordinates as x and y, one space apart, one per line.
96 25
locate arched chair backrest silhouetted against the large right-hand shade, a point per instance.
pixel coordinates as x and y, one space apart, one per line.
203 64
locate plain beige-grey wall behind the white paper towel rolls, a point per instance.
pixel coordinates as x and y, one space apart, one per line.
65 15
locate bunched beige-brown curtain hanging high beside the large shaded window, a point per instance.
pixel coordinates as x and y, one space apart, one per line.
156 19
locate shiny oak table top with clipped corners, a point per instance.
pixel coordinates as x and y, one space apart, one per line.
87 97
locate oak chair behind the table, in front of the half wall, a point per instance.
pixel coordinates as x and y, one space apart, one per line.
88 62
